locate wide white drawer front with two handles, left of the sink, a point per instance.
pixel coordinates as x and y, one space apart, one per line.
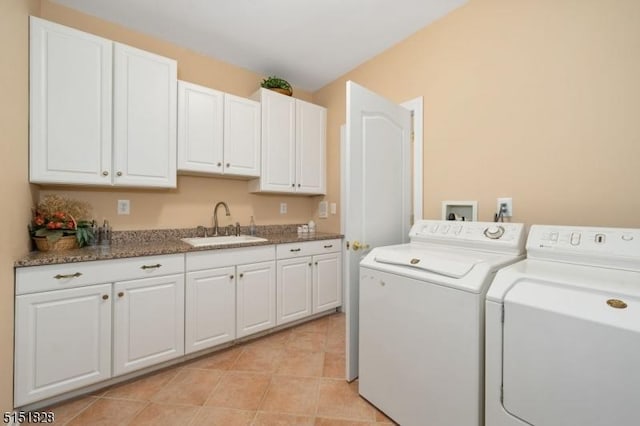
70 275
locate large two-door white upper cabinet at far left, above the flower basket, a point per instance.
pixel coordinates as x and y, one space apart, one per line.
101 113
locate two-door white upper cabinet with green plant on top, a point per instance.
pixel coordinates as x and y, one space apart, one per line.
293 146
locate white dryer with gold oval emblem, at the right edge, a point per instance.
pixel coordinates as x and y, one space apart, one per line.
563 331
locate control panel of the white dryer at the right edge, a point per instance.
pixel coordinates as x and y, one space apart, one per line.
606 247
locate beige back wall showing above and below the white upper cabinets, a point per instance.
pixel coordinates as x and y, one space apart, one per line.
192 203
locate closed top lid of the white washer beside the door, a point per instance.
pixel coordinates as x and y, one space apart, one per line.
429 261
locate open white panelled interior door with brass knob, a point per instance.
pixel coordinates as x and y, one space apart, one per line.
376 190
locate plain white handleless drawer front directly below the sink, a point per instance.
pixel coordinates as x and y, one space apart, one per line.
197 261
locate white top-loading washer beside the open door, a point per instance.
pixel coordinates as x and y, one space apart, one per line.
421 338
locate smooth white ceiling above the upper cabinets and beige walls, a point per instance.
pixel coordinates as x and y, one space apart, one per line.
307 42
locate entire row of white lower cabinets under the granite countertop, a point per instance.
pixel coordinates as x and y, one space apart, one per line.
77 324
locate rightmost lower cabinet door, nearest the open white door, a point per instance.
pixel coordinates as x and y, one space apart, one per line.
327 281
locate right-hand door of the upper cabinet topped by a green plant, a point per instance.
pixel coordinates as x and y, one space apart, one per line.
311 131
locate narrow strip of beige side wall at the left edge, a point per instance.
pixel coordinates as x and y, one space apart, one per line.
15 190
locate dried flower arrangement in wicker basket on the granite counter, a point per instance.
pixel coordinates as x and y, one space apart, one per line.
55 217
